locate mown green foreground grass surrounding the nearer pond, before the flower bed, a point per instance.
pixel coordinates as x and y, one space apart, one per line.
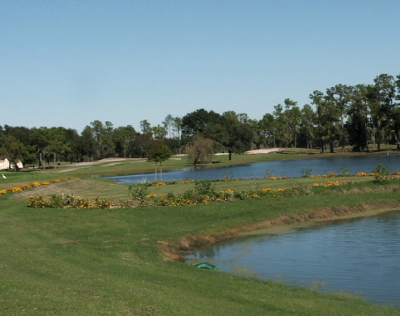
107 262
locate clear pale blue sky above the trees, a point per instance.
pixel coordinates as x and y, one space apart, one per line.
68 63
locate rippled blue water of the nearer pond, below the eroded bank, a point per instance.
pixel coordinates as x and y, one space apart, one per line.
361 257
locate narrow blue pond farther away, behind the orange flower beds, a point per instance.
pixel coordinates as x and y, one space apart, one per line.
292 168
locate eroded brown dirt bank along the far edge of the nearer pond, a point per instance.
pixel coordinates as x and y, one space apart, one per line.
280 225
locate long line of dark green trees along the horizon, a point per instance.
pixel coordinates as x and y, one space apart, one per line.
356 116
